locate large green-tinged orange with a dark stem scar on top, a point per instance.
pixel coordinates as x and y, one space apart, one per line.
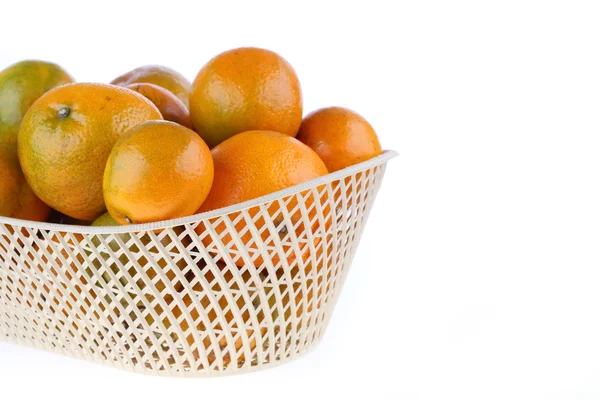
65 140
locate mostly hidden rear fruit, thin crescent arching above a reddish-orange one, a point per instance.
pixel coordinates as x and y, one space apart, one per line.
158 75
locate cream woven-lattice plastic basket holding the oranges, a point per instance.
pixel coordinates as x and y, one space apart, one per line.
229 291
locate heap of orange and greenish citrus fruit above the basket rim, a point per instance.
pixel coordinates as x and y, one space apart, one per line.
151 146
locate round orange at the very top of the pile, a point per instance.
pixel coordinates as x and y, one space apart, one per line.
245 89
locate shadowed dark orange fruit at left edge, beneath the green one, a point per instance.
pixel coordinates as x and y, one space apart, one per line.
17 200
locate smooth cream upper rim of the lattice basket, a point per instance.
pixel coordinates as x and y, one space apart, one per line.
84 230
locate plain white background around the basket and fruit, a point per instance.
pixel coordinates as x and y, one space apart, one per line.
478 276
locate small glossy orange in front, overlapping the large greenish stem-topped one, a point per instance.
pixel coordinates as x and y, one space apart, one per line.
158 171
